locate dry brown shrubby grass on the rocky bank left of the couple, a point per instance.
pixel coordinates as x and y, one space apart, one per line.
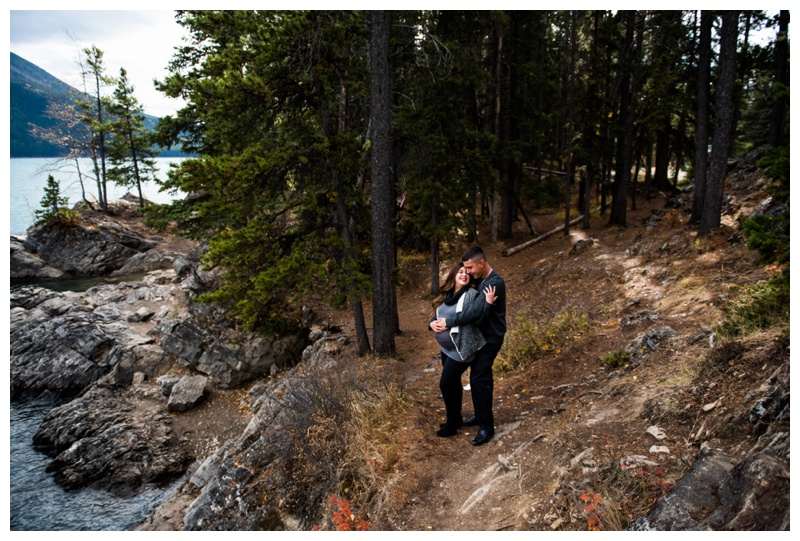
339 438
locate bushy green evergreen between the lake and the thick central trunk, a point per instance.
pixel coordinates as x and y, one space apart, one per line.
277 115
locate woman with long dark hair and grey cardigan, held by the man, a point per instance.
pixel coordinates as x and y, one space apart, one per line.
459 344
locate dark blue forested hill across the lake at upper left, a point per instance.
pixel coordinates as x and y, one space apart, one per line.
32 89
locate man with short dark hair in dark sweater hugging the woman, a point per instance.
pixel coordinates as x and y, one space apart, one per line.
491 320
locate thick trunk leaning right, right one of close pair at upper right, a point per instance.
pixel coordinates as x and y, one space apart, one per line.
723 130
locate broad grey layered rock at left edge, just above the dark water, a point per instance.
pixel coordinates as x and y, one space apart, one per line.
62 343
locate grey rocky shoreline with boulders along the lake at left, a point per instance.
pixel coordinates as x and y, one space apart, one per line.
128 366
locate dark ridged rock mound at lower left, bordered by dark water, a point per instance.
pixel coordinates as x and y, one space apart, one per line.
103 440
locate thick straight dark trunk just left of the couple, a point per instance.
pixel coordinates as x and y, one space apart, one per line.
383 204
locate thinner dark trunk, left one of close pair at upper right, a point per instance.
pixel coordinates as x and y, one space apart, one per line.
703 108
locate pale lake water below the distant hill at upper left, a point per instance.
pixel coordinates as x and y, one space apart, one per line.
28 178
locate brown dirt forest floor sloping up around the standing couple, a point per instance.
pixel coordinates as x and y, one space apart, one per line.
574 447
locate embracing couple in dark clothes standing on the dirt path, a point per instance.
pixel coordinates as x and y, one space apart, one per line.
470 325
